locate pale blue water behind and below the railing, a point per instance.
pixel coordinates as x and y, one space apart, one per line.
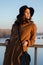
30 51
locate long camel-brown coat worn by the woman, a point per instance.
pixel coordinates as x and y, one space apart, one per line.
14 50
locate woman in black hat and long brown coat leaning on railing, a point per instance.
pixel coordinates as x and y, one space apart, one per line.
23 35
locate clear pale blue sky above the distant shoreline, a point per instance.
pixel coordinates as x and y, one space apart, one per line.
9 9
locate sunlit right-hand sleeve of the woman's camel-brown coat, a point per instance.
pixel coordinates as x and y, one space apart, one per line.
33 35
